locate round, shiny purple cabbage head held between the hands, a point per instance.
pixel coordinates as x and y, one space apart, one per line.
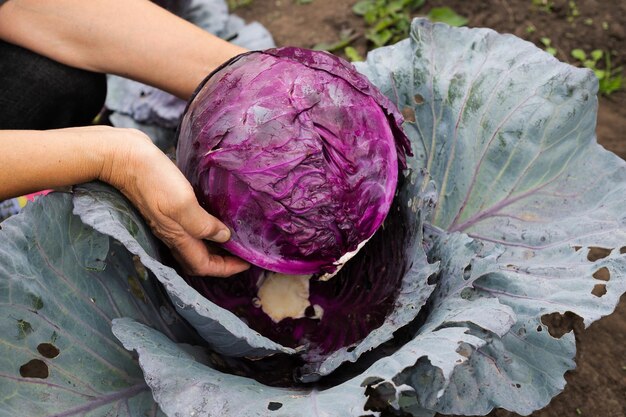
297 153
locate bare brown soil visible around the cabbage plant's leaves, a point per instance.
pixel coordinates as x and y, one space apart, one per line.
598 386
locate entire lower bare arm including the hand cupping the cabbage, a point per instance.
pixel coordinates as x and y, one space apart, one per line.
126 159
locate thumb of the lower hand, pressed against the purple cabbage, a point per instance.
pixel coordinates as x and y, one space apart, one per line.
201 225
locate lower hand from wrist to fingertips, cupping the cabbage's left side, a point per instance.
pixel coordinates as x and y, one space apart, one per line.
152 182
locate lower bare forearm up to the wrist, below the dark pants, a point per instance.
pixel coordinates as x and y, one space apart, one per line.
36 160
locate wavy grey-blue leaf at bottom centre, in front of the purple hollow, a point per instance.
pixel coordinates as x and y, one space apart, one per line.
183 386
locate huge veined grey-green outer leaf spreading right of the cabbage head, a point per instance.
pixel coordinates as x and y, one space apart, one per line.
507 134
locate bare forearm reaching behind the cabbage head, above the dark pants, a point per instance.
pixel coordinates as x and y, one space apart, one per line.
132 38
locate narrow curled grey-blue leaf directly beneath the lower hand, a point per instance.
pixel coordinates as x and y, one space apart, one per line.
104 208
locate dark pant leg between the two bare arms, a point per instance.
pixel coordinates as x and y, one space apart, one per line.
38 93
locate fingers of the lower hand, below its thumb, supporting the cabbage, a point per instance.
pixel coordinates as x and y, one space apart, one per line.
196 259
